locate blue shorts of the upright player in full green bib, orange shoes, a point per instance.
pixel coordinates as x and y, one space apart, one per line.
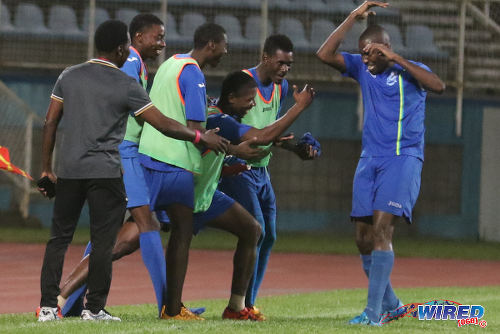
168 188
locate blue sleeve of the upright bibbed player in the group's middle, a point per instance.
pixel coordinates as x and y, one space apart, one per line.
193 91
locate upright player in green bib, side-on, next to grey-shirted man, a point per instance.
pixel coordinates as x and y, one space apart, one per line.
179 92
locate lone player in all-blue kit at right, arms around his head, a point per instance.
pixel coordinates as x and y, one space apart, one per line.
387 179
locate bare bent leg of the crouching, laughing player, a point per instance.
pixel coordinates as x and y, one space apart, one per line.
239 222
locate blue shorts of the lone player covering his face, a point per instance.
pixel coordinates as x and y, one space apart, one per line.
388 184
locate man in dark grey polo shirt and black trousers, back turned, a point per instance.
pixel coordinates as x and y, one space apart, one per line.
95 98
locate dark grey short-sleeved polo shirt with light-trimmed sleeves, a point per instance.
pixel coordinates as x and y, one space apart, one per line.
97 98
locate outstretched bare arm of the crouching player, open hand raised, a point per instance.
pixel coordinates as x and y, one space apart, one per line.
271 132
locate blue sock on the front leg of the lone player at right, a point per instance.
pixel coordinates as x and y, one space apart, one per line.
380 271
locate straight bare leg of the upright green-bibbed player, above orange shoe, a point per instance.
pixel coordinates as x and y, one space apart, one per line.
177 255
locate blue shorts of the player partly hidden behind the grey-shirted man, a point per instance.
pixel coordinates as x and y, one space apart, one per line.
133 178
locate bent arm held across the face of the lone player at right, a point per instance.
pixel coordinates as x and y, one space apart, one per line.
430 81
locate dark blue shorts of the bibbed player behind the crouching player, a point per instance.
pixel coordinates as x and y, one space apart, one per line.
253 190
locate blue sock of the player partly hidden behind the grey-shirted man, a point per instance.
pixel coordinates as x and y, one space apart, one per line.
154 260
